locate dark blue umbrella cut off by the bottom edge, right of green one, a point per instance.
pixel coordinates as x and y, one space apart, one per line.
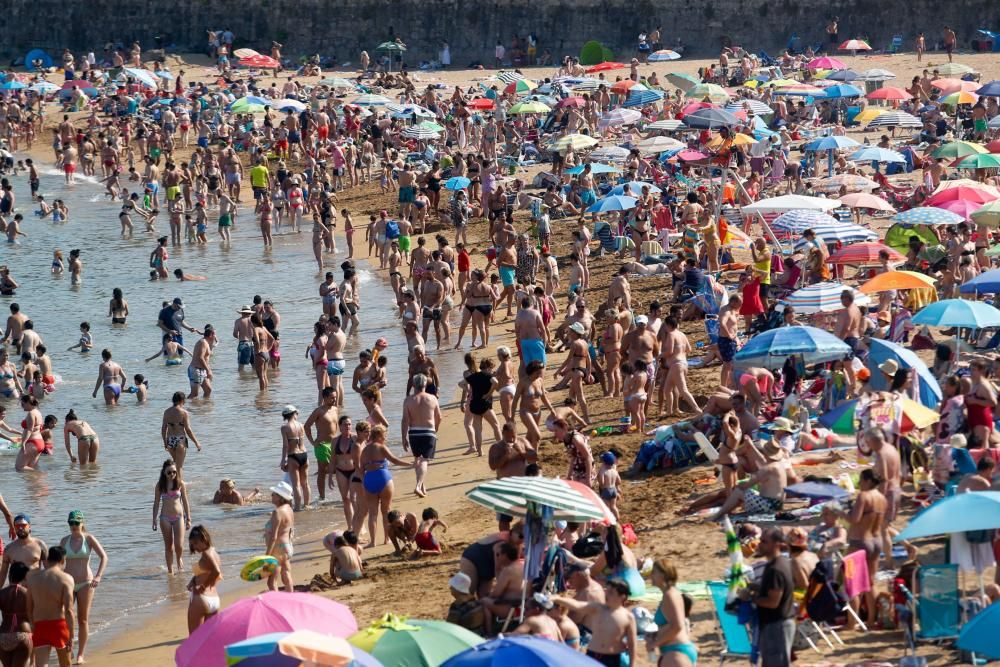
522 651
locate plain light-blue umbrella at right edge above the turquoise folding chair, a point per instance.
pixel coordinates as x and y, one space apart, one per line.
960 513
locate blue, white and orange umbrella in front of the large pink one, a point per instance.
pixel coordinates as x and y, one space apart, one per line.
291 649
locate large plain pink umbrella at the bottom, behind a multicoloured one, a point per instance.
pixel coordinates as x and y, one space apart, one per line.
274 611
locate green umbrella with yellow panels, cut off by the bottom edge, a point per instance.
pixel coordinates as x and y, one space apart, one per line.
396 641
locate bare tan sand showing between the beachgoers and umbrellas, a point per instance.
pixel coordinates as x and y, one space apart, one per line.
418 588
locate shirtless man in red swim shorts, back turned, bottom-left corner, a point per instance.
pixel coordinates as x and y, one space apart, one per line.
50 607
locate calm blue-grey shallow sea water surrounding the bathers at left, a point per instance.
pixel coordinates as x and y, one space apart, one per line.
238 427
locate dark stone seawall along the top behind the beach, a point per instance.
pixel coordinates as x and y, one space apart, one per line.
472 27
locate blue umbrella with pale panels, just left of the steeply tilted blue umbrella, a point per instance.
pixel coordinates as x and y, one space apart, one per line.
771 348
